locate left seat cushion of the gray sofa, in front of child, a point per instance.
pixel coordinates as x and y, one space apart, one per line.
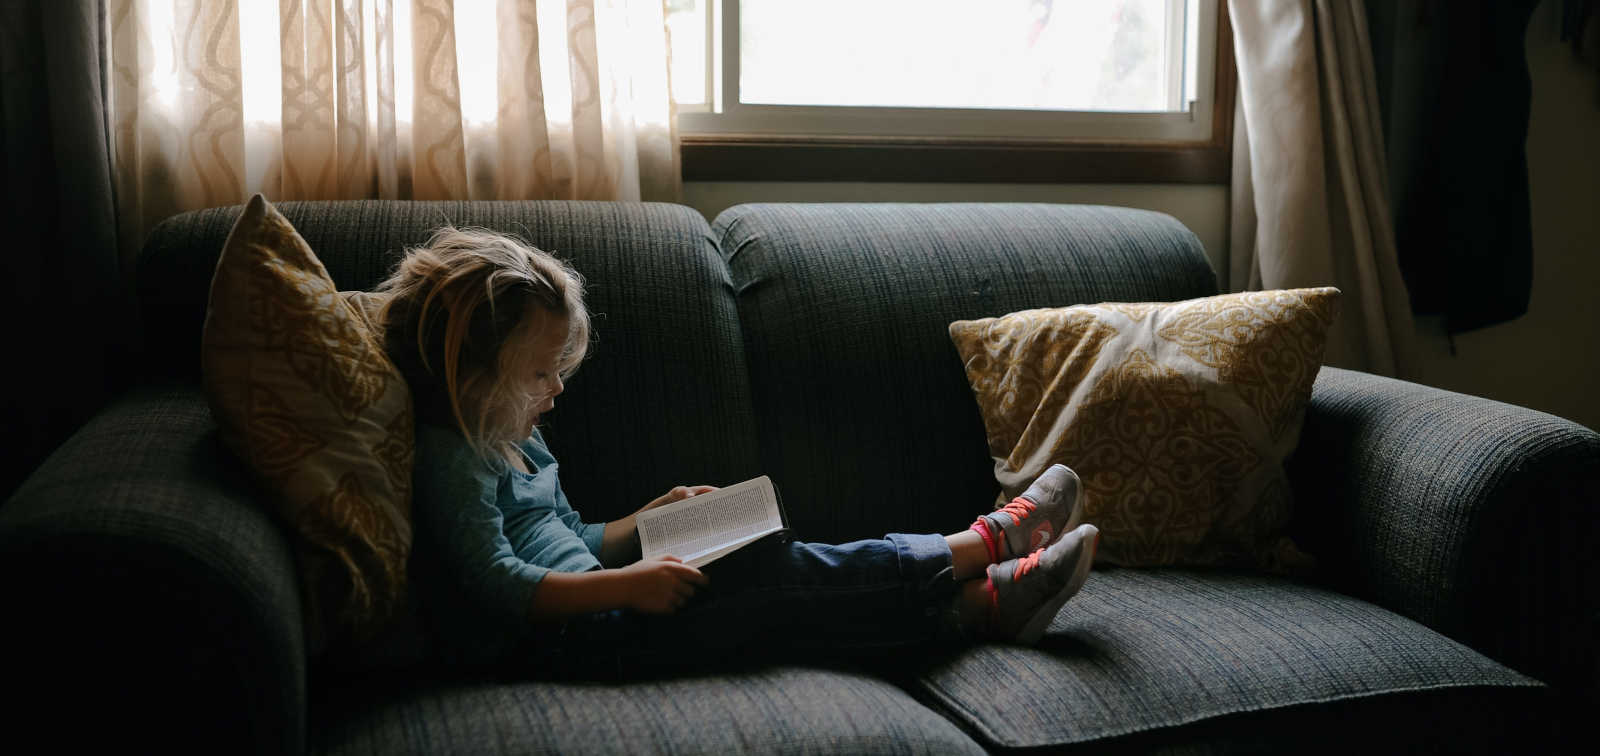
774 710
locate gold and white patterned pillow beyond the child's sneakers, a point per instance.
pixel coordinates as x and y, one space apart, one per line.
1178 417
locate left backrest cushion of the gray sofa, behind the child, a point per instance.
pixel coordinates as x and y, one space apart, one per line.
665 395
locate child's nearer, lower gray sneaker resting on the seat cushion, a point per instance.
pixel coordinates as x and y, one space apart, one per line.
1031 590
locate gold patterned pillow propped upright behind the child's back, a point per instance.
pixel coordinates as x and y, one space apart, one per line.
303 392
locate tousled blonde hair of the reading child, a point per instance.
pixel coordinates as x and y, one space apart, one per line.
454 305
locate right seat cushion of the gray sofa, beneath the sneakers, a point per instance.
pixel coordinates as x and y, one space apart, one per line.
1145 651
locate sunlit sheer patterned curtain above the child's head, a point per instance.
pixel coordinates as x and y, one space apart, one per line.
217 100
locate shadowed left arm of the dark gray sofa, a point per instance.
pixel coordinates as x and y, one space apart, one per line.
150 605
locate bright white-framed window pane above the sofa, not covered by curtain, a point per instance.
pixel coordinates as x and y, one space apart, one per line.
1124 70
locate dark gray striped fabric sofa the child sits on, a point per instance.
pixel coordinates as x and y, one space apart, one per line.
151 600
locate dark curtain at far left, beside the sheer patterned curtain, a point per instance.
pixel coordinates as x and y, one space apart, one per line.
70 313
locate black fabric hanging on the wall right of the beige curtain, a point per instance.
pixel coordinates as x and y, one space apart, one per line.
1455 95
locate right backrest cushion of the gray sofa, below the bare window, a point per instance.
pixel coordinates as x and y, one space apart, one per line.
863 408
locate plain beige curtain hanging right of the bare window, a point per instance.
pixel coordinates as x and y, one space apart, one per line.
1311 196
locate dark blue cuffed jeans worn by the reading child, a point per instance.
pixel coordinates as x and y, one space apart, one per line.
775 601
